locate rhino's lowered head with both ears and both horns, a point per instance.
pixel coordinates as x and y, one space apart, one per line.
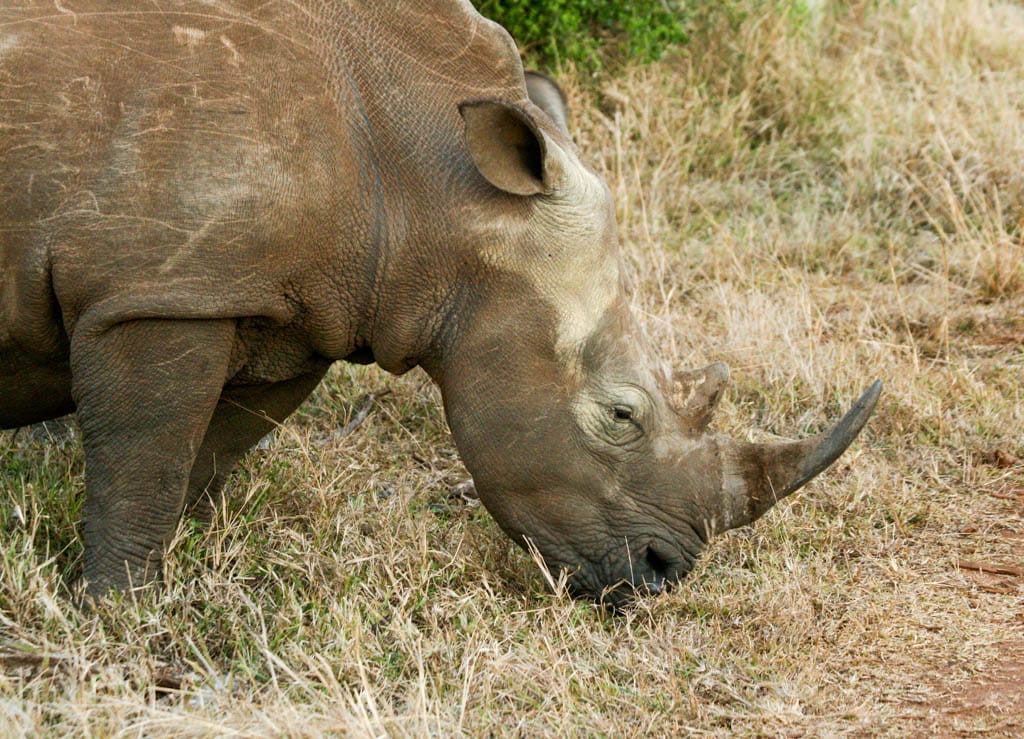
579 444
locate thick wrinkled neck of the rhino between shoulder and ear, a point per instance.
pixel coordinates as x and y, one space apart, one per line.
414 172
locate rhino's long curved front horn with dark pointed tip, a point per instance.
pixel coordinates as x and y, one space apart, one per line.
755 477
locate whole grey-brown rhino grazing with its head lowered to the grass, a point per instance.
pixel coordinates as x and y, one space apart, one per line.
203 205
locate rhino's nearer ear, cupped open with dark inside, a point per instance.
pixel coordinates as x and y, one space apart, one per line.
507 147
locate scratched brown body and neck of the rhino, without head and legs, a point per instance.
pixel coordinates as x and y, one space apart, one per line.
217 159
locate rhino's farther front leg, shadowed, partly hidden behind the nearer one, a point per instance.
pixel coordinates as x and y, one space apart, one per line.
243 417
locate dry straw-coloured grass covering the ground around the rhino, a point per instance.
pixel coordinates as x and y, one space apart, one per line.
820 199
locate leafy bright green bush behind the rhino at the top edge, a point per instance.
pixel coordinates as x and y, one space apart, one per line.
589 33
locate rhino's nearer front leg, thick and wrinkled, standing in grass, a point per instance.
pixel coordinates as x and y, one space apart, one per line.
146 392
